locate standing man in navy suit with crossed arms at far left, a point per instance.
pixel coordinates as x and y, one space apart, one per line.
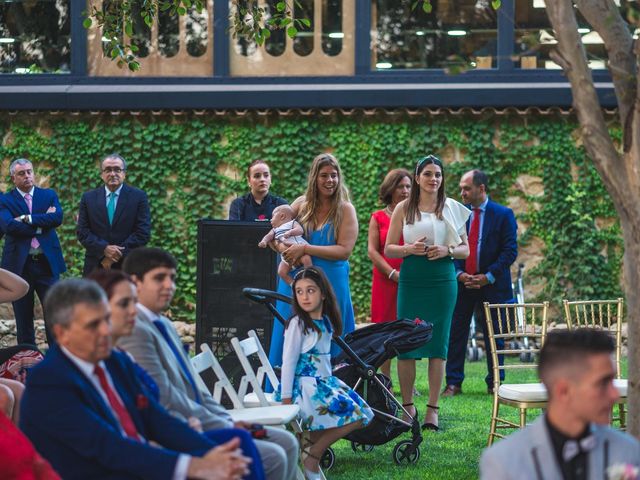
29 217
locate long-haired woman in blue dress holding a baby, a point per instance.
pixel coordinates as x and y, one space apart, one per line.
331 228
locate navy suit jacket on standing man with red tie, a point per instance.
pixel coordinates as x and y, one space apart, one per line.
499 249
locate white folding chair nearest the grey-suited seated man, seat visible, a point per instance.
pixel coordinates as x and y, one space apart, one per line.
275 415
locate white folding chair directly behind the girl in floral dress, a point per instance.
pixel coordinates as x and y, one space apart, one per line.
257 397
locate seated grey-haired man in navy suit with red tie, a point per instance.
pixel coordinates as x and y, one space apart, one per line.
86 412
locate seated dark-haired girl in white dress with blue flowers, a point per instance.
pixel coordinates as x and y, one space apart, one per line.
329 409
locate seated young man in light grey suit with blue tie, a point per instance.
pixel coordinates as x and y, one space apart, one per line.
156 346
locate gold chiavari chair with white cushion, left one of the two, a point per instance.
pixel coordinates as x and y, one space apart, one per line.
517 330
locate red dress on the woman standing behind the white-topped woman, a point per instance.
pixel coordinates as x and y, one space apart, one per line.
384 291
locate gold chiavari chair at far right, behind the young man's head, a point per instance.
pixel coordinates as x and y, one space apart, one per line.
605 315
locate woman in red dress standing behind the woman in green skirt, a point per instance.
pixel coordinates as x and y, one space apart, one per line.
384 289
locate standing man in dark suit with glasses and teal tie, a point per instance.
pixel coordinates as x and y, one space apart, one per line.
112 219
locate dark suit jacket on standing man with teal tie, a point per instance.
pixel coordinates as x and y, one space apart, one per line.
131 226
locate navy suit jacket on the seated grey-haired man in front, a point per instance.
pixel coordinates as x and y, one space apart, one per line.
71 426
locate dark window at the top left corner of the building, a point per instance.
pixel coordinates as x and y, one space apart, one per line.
35 36
